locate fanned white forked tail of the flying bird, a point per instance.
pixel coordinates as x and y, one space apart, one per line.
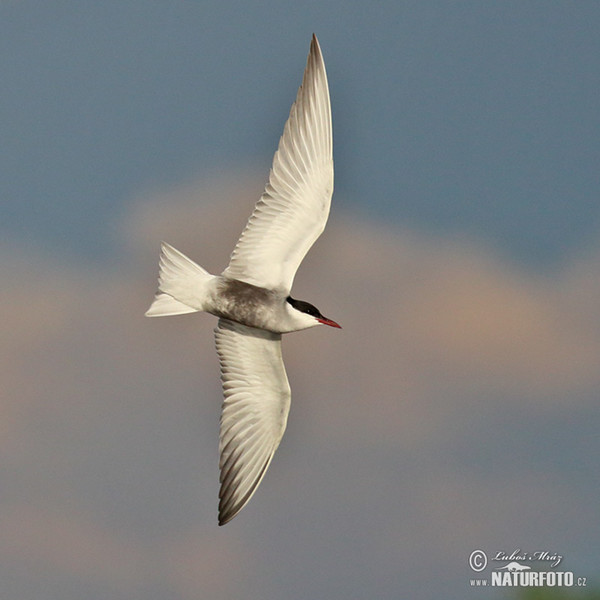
181 284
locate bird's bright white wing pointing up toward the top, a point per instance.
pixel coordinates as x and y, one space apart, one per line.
293 210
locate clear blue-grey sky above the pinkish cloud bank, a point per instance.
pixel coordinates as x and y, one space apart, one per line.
459 118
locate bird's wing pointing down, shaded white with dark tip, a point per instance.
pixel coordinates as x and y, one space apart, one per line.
255 410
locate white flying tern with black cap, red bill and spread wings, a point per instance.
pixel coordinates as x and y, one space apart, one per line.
252 296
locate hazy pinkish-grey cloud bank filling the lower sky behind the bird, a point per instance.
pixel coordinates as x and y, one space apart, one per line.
458 385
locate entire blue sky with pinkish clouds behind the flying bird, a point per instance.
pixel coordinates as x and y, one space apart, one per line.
456 410
